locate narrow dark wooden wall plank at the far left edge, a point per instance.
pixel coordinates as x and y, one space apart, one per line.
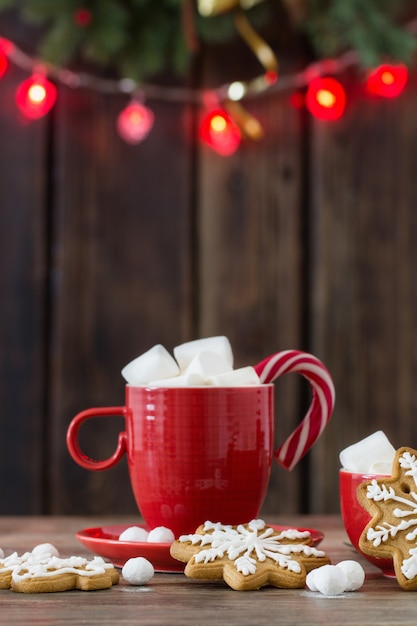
23 285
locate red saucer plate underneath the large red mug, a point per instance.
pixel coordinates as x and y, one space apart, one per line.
104 541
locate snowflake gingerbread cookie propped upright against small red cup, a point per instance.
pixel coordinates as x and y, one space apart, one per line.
392 530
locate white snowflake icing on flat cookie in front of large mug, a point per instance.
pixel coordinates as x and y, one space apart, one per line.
242 544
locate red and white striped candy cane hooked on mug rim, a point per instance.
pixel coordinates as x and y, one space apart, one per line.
321 407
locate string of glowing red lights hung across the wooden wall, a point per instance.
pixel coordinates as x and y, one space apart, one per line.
325 97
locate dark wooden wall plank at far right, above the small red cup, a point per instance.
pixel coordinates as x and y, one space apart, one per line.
363 289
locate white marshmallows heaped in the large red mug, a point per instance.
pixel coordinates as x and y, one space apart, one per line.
200 362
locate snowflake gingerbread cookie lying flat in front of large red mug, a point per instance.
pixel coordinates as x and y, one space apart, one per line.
249 556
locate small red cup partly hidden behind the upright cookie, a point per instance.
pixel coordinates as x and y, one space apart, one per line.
355 517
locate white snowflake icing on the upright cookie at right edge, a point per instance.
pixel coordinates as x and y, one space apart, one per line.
408 509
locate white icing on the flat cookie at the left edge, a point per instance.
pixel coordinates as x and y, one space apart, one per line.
30 565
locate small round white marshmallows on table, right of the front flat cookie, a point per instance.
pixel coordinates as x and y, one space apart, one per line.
333 580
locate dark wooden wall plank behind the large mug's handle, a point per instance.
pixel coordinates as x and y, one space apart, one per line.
121 269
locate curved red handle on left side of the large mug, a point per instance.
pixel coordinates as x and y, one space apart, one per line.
74 446
